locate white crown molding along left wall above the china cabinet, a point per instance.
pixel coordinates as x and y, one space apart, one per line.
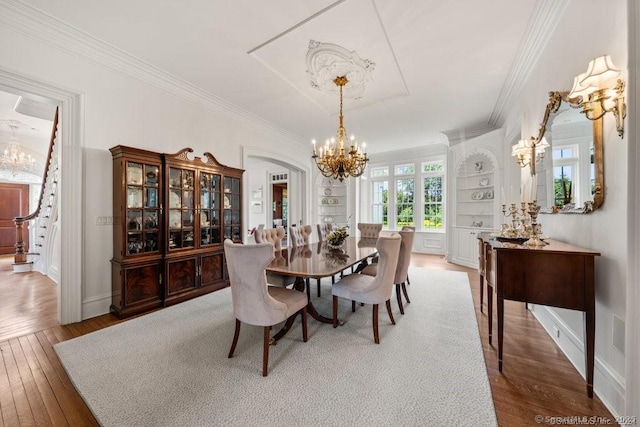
35 24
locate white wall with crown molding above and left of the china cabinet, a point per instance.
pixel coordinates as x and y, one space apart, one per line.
126 104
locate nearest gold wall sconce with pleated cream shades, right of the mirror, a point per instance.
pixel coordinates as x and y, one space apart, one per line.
597 98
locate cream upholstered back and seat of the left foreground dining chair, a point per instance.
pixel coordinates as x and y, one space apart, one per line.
252 303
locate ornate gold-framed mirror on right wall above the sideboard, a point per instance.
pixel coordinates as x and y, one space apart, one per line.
573 168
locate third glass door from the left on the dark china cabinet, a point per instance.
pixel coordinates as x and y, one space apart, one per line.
209 209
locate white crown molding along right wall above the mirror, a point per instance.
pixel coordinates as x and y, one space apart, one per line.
545 18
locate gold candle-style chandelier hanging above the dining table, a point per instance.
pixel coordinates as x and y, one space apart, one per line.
334 161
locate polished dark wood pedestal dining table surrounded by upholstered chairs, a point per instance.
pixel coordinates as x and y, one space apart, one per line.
318 260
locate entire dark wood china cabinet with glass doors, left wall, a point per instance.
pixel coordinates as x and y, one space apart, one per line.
171 215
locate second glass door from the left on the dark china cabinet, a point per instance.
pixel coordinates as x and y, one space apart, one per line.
181 208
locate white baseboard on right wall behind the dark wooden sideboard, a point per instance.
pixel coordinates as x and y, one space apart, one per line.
607 384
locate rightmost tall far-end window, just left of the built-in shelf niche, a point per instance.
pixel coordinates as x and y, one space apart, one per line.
433 179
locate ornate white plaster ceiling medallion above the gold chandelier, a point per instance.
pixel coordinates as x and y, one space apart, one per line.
325 61
